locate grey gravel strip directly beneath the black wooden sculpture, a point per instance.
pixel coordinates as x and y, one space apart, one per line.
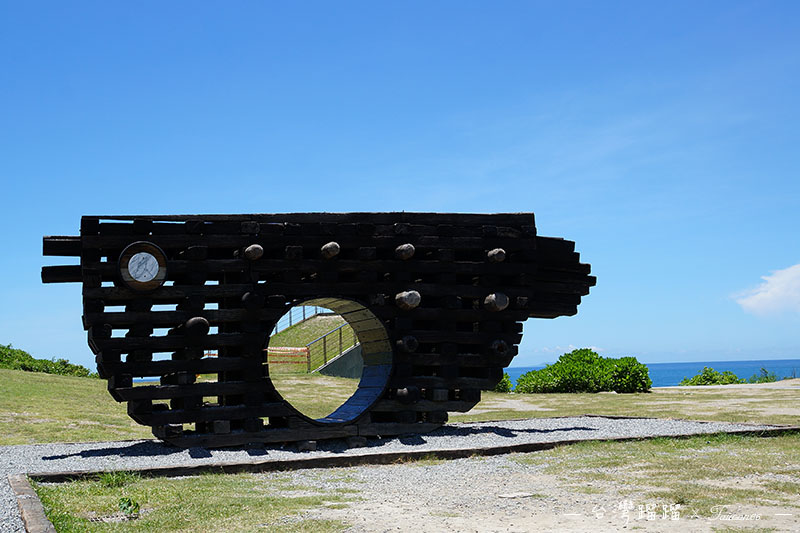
131 455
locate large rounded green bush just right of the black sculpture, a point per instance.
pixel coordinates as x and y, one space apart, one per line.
585 371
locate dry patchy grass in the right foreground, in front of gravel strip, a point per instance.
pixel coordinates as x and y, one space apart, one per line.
698 473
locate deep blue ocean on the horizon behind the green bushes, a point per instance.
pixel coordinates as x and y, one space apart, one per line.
669 374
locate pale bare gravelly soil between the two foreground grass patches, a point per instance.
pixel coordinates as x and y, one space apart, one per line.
498 495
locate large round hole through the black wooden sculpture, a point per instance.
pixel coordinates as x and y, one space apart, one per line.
330 358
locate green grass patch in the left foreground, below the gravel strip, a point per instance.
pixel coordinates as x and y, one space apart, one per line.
207 503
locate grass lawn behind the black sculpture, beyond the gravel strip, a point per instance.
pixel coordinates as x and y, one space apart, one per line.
46 408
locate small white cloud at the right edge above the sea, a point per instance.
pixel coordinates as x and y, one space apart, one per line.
779 292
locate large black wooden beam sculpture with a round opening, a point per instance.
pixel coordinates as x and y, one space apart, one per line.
437 301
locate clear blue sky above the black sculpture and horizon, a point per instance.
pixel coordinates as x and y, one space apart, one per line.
660 136
